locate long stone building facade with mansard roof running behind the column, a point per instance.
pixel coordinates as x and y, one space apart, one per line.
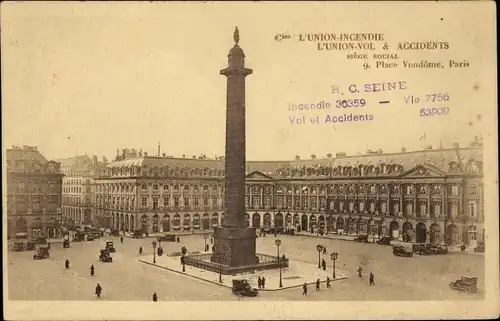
432 195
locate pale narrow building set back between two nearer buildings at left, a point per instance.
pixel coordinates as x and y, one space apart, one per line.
78 189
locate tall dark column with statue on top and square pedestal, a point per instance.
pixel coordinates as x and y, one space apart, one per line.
234 242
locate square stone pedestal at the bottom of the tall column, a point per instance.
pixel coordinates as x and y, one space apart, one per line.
235 246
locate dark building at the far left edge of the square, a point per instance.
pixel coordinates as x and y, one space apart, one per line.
34 187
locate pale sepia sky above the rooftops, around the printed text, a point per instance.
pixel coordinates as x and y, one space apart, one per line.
96 77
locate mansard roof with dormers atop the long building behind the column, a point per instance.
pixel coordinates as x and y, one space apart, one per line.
448 161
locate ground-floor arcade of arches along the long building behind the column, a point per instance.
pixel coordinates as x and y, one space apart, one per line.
398 228
